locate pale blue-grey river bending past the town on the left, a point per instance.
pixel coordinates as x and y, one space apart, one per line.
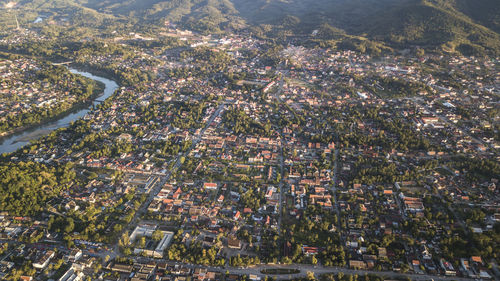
19 139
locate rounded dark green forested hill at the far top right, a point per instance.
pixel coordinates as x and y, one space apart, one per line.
431 26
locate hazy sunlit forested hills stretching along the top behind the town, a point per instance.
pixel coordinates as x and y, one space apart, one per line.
467 26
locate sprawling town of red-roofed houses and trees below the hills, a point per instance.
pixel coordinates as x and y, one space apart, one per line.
232 159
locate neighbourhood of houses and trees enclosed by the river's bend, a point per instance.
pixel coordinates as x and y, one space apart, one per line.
33 92
